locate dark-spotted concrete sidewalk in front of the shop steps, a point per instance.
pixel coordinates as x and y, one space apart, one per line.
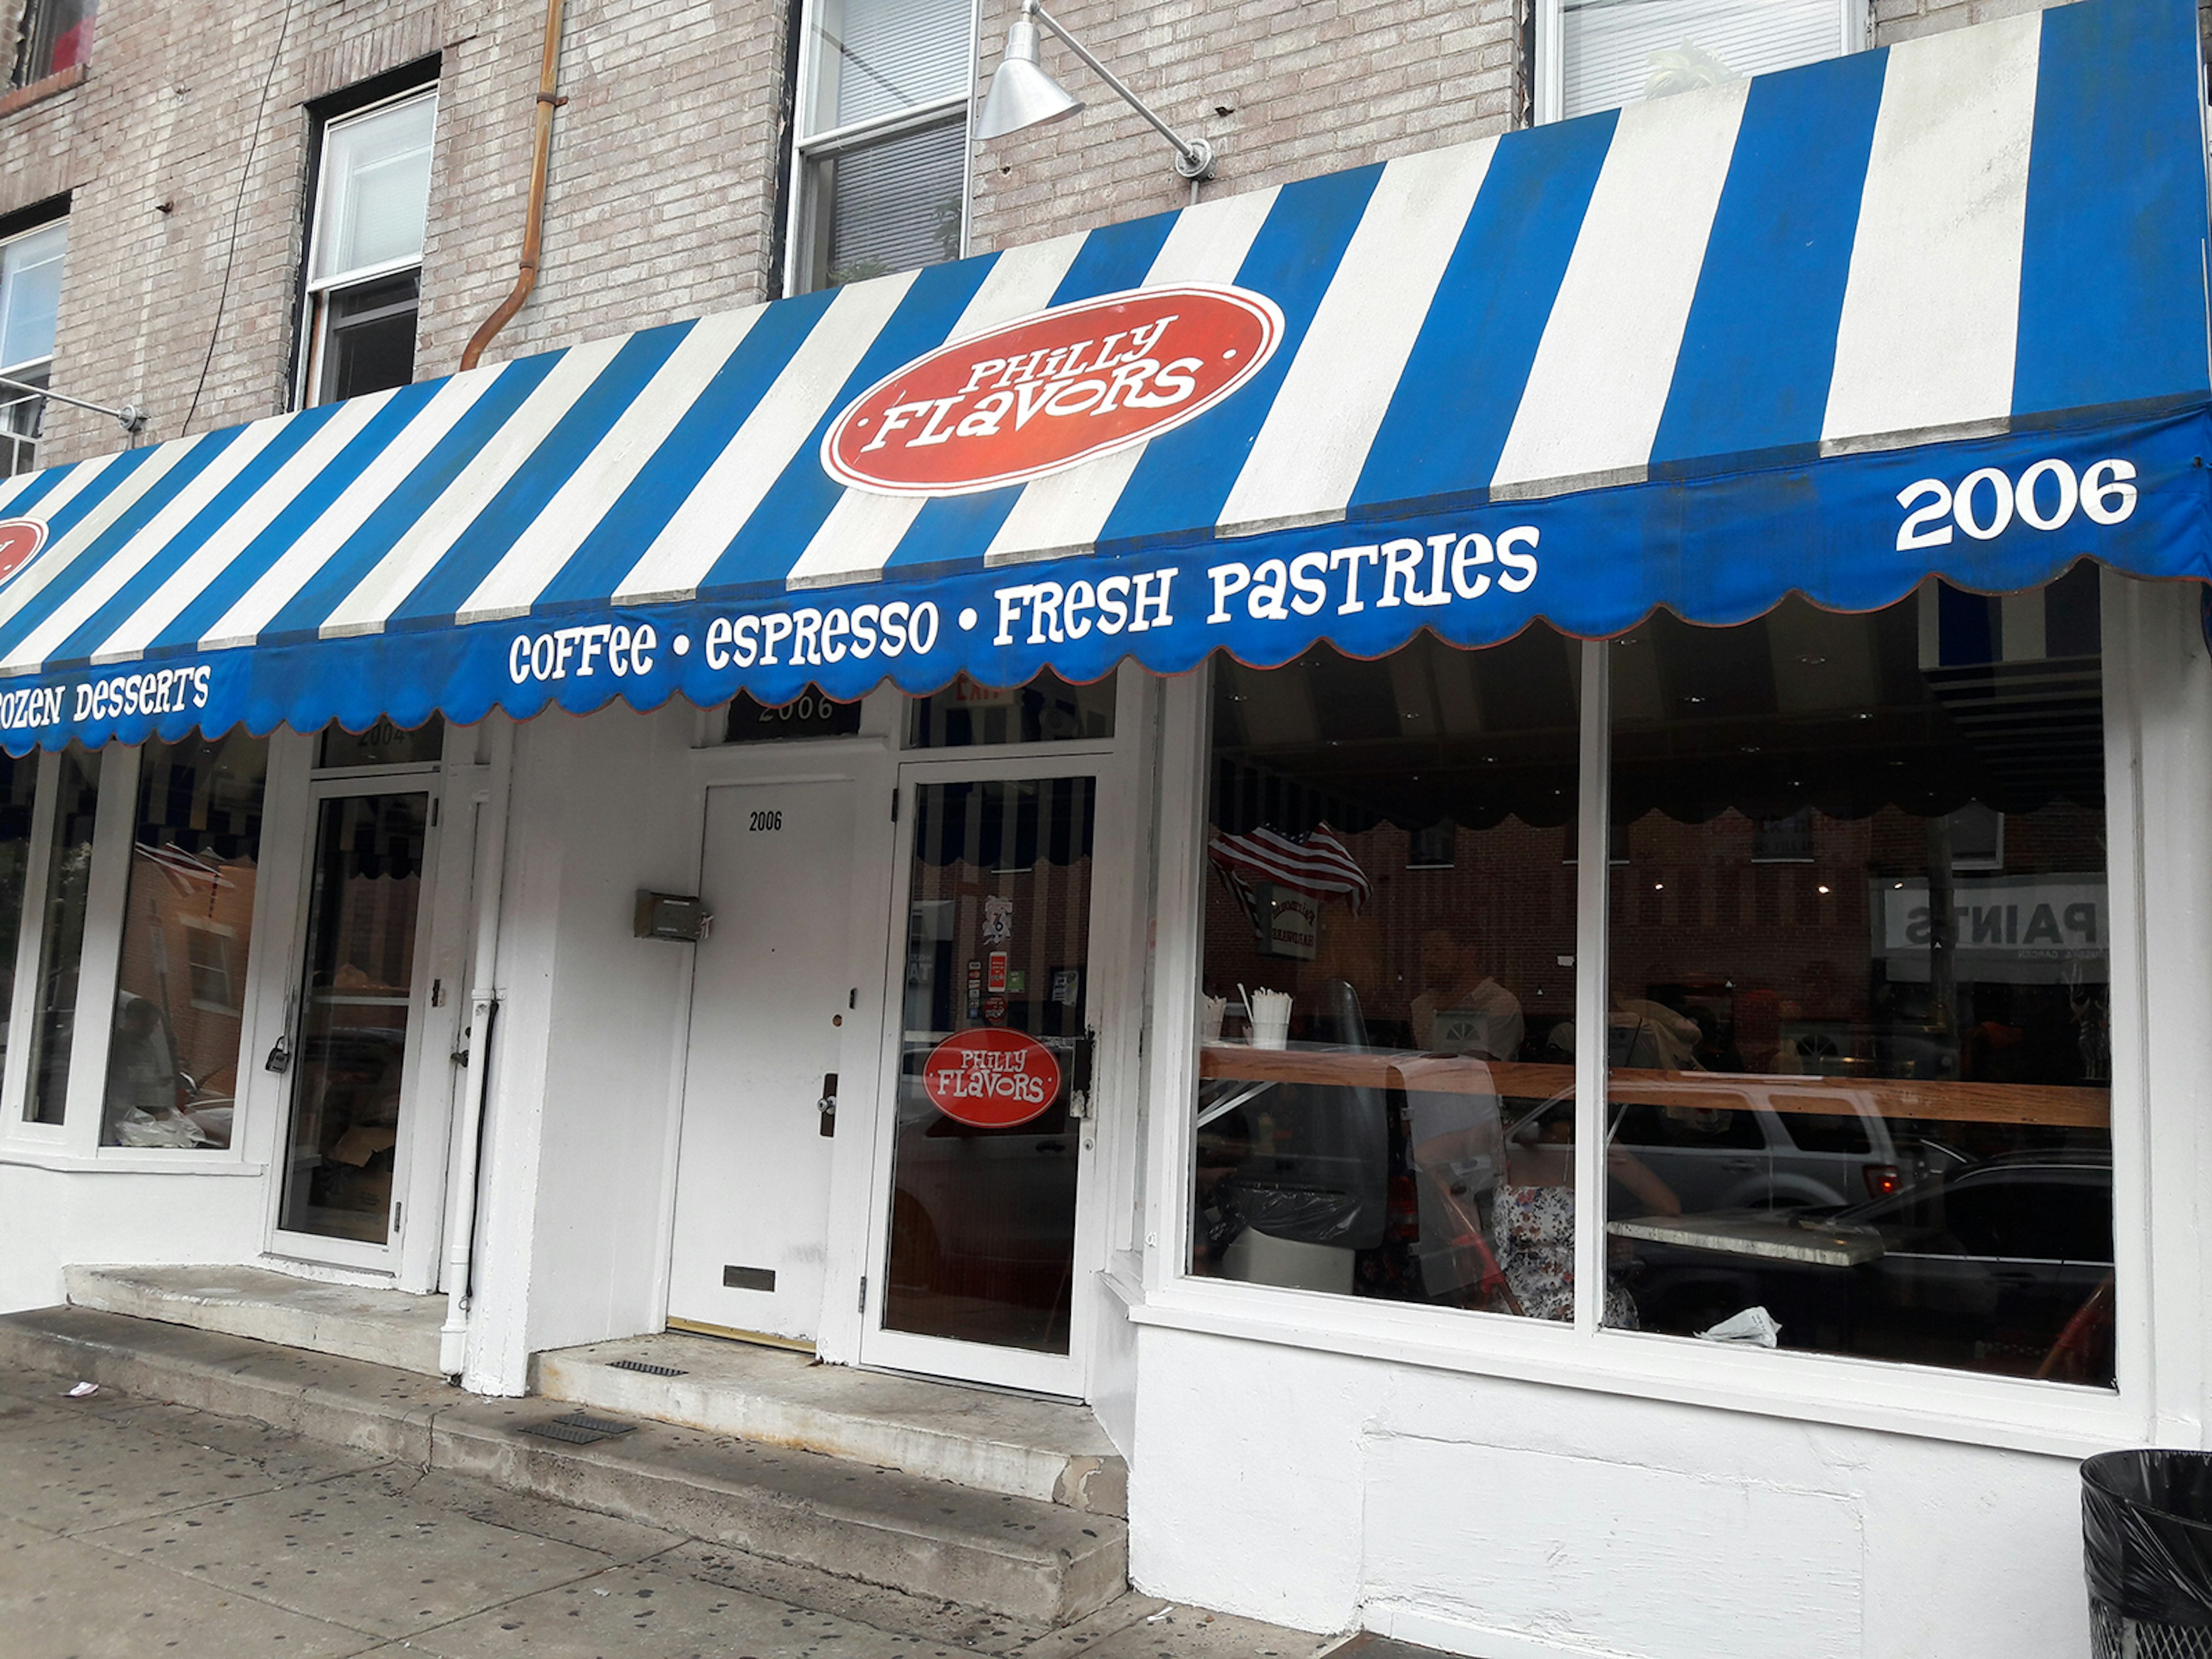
134 1530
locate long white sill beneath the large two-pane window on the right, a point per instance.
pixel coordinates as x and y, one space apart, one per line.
1811 1388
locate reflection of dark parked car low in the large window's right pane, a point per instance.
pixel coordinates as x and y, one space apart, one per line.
1996 1266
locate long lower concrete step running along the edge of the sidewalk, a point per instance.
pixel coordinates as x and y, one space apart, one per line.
1014 1556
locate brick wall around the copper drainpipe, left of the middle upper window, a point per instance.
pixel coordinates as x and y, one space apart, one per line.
660 205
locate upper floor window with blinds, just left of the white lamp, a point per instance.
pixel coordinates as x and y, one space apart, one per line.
881 158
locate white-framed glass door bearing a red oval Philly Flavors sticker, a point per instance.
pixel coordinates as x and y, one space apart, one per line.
985 1140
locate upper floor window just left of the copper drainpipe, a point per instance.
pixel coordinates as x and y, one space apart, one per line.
366 251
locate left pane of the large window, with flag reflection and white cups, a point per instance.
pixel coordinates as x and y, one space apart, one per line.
1386 1103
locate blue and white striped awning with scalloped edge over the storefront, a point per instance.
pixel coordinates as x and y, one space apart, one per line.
1930 309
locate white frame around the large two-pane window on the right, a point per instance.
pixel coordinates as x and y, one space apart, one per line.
2158 1386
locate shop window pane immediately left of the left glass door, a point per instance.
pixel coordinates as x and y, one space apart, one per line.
189 926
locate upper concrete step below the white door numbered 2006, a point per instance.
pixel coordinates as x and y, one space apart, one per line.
999 1443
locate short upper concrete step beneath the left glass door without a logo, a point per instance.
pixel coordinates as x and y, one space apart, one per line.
384 1326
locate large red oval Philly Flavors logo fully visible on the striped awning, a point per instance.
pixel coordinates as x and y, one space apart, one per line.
1052 390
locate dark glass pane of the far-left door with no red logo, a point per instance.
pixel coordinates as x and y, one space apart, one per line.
351 1050
